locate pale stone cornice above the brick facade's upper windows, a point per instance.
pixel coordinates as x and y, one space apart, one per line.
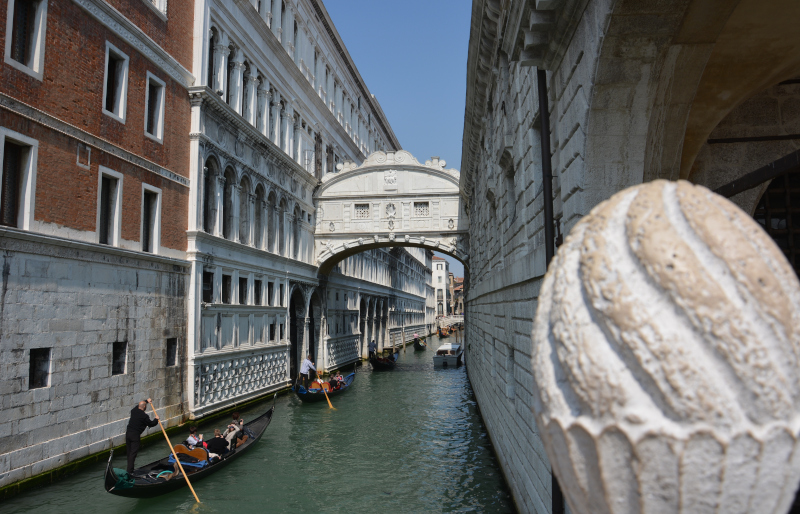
134 36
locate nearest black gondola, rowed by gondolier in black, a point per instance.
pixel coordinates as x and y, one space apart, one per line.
145 481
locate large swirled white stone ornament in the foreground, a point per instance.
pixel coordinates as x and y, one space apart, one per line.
665 356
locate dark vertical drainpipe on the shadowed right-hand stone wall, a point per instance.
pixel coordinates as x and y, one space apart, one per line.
557 505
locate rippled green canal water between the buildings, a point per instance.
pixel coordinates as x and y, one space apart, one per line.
408 440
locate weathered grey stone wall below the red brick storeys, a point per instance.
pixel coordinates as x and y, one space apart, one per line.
78 299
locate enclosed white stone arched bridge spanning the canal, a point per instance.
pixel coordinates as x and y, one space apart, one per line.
390 200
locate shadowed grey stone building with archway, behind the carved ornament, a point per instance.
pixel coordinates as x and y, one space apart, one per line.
632 91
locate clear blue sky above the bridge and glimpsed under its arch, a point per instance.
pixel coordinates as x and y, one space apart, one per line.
413 57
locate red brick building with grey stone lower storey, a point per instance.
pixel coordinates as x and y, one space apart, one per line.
94 124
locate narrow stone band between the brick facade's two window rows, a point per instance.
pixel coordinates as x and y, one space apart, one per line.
27 111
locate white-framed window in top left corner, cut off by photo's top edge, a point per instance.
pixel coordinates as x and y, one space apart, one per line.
26 22
